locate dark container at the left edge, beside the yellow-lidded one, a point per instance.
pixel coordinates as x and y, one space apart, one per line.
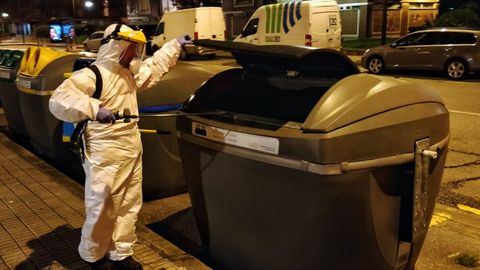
9 65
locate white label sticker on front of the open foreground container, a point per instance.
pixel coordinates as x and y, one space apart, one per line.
255 142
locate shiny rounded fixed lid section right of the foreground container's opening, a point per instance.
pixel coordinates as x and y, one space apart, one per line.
361 96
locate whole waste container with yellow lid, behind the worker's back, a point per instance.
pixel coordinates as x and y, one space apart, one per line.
41 72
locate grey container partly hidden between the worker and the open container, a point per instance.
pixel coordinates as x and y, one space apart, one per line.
162 165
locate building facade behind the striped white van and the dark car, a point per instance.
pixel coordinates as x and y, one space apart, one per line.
360 18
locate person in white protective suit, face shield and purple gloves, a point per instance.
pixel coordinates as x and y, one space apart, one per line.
112 149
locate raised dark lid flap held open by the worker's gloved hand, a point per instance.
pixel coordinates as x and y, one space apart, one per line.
268 59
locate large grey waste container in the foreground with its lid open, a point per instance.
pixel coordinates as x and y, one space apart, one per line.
308 165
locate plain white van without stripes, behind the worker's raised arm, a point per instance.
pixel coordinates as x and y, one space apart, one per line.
199 23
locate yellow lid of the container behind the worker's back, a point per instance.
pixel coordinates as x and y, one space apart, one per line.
36 59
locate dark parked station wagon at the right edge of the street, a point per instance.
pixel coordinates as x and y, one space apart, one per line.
454 51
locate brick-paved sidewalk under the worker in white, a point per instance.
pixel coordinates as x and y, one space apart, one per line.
41 214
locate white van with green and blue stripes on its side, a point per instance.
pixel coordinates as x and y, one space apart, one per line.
308 23
